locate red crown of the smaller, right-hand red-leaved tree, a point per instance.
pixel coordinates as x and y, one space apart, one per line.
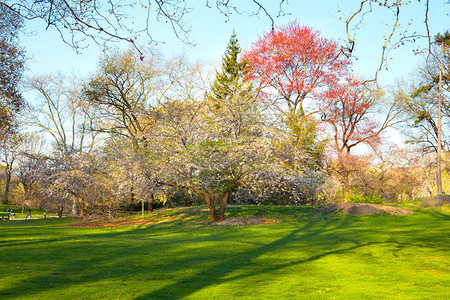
347 109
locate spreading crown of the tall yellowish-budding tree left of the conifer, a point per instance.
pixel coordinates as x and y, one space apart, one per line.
123 90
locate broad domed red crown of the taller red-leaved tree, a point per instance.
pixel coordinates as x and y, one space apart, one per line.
295 60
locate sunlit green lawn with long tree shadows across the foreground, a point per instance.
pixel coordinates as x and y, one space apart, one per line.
306 255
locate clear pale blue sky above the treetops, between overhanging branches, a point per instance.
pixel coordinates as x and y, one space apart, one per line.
211 32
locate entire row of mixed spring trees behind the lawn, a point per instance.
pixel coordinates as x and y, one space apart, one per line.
278 123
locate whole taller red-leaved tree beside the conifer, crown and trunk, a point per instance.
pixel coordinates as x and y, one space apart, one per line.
293 63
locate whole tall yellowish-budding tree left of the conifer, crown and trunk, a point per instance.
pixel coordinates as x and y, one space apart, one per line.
126 92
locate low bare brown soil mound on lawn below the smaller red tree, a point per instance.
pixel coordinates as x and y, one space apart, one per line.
363 209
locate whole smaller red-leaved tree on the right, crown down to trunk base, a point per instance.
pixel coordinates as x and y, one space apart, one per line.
350 108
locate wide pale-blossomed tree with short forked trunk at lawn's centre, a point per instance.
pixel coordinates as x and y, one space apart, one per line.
201 150
